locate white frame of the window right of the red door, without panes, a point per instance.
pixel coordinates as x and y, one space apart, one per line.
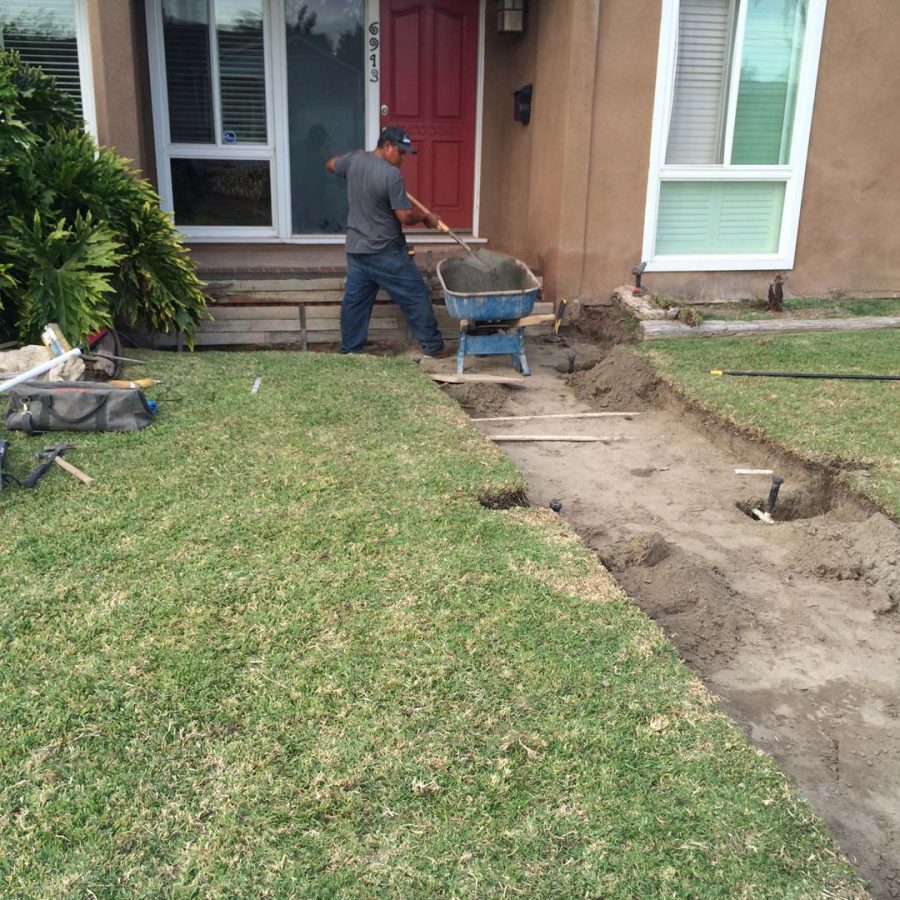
792 174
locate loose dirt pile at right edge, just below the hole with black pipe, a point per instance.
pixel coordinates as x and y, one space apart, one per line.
867 551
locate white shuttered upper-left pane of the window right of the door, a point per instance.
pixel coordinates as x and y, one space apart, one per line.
697 126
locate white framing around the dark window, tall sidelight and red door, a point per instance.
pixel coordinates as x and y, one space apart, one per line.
275 149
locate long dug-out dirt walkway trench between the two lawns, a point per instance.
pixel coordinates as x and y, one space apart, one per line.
795 625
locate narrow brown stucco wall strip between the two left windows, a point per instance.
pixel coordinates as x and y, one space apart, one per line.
118 40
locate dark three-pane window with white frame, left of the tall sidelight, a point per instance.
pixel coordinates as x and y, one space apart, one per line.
212 100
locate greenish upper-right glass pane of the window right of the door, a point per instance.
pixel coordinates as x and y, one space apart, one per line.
773 47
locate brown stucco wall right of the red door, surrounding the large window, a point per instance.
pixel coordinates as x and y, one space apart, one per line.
568 191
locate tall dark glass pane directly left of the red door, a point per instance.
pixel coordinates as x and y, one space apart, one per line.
326 47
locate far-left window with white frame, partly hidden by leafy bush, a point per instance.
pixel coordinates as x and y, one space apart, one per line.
52 35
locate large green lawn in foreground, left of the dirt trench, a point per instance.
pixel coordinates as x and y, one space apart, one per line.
280 649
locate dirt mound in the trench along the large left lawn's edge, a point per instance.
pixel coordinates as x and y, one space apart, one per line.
692 601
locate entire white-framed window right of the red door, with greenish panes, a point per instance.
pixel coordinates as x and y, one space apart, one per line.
735 89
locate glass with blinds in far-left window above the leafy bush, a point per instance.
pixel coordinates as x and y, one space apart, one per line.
44 35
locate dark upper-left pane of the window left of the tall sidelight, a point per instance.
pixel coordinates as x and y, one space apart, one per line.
186 37
